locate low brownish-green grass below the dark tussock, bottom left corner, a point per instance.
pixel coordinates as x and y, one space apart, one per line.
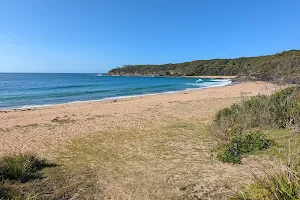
56 183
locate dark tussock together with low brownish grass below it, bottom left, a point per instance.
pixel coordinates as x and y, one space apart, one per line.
28 177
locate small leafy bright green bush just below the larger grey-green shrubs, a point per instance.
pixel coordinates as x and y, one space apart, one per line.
242 144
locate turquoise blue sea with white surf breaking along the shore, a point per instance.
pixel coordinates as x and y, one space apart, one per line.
30 90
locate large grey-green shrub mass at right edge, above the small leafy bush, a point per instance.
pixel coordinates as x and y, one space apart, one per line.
280 110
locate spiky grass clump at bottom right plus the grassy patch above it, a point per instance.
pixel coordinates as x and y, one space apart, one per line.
282 179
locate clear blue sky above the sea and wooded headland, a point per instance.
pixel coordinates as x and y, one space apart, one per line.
83 36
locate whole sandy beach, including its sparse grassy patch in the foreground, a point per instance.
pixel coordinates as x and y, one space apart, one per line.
148 147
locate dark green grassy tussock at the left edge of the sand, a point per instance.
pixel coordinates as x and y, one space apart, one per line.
21 167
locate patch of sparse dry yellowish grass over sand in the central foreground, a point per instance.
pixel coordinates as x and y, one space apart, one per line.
170 162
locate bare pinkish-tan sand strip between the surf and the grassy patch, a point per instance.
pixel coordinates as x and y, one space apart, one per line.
43 130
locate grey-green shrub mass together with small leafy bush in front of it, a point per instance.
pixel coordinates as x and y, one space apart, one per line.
231 125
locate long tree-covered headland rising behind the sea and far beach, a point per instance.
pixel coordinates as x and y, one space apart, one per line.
283 66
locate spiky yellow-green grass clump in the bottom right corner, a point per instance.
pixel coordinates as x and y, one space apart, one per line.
283 182
